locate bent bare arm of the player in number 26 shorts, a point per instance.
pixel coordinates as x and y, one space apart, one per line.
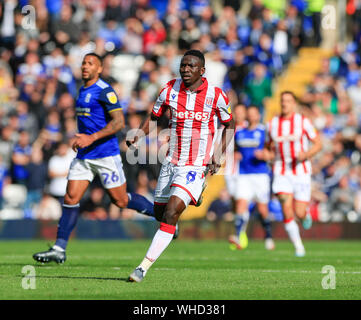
114 125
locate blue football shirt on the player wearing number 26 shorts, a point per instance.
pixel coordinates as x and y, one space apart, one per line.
93 107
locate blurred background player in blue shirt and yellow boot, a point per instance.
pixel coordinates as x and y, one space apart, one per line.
252 181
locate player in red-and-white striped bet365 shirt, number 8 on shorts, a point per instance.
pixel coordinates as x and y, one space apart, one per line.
195 107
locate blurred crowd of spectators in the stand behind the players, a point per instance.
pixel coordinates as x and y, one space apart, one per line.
247 44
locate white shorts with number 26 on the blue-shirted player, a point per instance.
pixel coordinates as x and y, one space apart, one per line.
109 169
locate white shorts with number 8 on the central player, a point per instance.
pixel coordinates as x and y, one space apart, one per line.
186 182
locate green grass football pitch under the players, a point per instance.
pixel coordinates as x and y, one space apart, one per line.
187 270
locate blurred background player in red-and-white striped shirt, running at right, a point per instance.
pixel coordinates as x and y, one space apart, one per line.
294 141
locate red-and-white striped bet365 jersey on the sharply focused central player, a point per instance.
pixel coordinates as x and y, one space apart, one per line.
193 120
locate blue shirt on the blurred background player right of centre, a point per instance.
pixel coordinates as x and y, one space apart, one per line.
247 142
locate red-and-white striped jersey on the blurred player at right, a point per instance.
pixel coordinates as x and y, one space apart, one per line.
291 136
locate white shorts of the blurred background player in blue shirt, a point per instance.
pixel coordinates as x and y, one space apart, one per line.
253 187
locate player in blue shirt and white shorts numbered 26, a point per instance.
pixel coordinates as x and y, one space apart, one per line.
99 117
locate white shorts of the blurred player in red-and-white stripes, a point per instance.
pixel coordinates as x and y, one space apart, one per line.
299 186
